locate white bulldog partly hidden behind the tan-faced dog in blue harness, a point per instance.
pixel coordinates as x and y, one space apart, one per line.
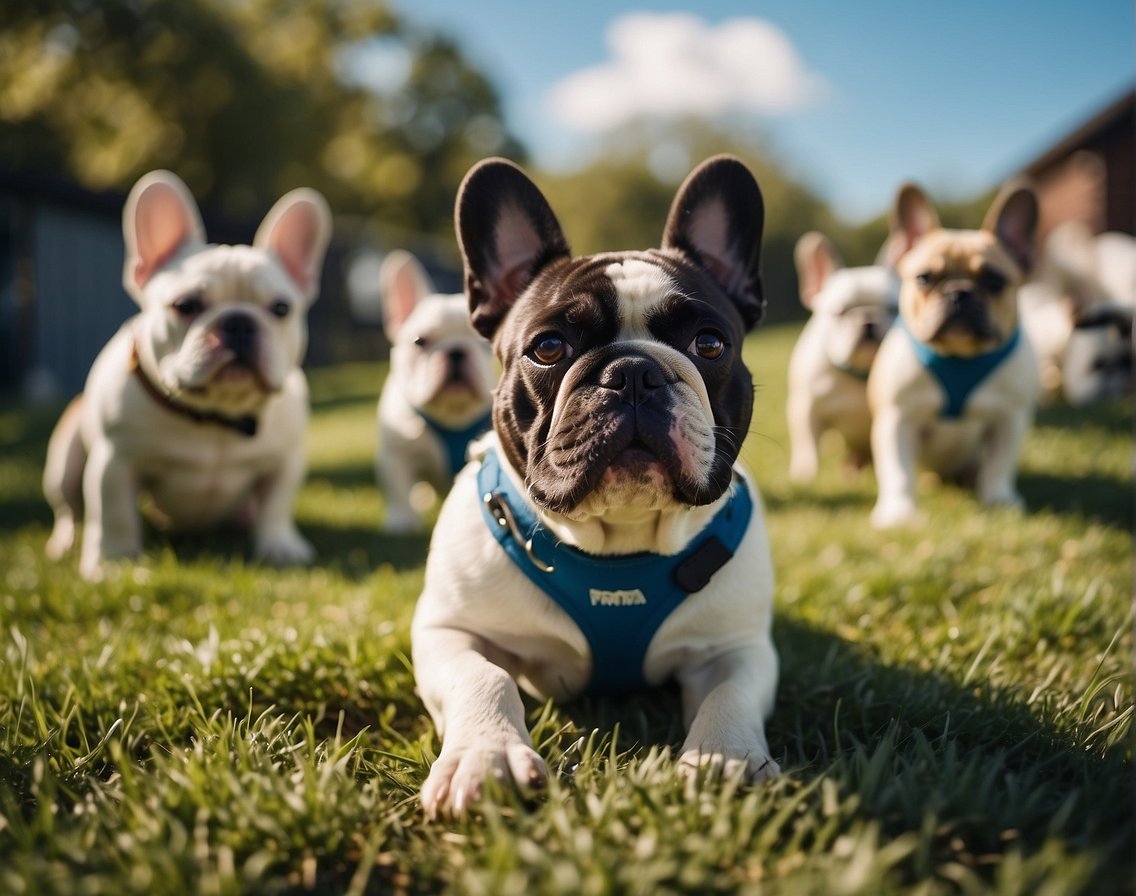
853 309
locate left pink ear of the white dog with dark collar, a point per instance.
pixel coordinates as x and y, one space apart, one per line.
160 219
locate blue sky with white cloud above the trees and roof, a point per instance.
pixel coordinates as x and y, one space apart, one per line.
956 96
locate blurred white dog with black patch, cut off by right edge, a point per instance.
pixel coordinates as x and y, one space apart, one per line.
1079 313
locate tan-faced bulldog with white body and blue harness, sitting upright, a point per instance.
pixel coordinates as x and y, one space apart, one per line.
956 383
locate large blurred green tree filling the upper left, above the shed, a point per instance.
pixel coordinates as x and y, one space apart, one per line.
246 101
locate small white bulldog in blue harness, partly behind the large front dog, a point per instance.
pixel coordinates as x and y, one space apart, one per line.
438 396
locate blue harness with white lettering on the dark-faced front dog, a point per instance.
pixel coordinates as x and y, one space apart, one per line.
619 602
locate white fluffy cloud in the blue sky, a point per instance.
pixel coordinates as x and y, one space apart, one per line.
666 65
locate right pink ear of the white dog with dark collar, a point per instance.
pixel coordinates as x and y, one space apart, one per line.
297 231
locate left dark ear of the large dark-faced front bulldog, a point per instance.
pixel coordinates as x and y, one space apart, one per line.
507 233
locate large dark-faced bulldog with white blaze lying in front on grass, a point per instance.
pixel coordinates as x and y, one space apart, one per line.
604 539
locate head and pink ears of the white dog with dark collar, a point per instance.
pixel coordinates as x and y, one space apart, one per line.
221 325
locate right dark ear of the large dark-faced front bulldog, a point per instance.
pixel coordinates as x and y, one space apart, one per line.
717 219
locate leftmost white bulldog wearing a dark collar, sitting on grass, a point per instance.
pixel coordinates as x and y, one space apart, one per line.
198 403
